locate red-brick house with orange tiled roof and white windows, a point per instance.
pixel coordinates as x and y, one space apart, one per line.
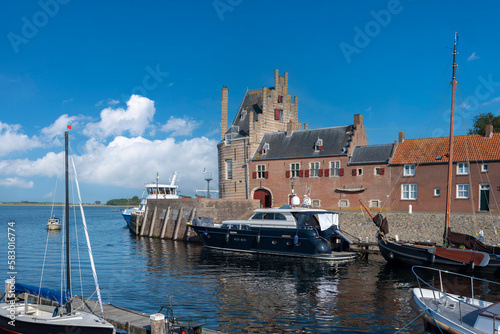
420 170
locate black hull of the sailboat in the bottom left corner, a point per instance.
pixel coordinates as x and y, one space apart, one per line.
40 327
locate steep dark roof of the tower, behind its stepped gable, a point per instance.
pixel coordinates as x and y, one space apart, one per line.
251 102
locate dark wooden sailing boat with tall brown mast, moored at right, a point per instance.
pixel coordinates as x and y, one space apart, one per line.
476 256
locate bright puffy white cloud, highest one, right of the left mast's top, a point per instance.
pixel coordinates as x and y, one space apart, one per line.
114 122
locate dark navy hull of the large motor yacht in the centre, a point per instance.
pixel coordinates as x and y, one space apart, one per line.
275 241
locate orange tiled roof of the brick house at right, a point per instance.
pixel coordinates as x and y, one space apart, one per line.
435 150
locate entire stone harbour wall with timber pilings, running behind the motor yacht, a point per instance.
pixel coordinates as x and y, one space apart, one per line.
167 219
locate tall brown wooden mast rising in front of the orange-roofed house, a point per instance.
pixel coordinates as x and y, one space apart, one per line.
450 154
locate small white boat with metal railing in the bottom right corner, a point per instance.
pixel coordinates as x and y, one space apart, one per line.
458 311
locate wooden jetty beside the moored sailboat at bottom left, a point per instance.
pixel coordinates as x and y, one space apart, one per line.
123 319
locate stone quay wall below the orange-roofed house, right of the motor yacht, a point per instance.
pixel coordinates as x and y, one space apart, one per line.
420 226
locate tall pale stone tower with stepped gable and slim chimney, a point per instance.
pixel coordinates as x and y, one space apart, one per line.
265 110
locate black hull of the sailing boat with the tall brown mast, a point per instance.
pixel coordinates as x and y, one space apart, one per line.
411 255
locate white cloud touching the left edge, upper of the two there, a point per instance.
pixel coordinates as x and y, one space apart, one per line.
12 139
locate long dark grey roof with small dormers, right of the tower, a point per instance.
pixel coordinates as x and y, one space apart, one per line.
302 143
